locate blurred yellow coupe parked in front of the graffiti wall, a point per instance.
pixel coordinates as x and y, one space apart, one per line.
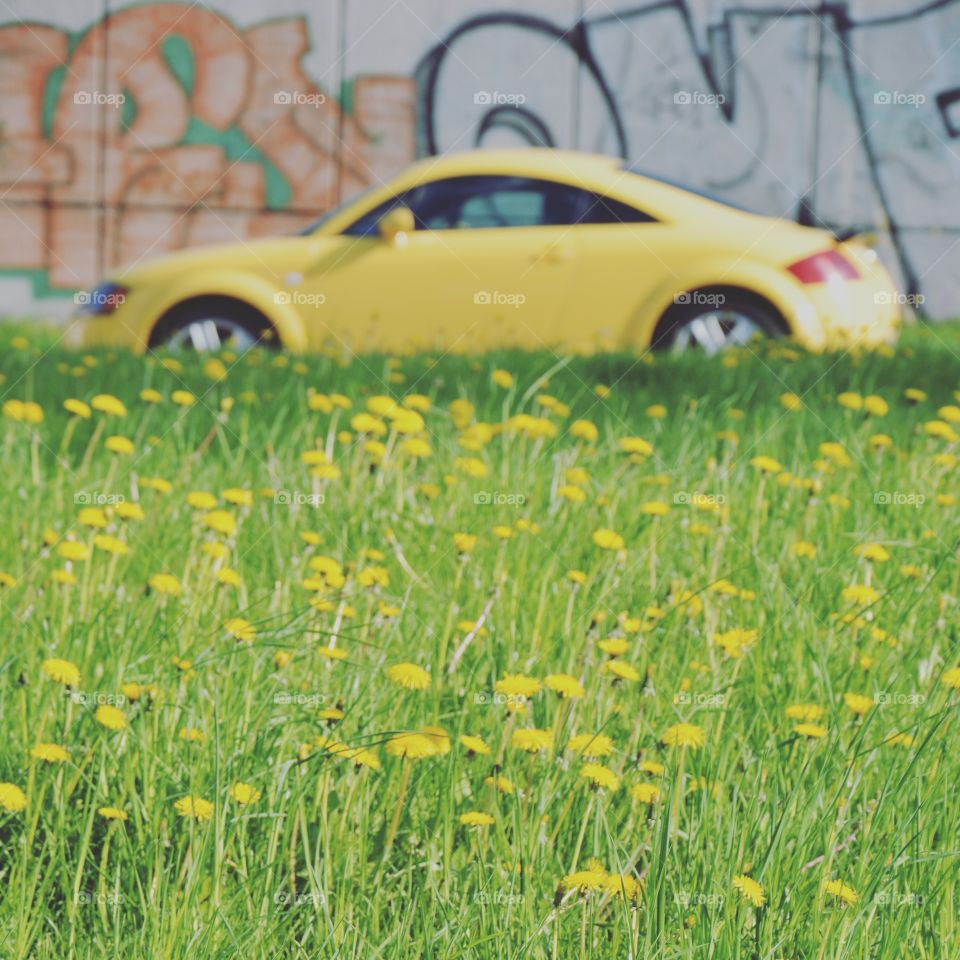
526 248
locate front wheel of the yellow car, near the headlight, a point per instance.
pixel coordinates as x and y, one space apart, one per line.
213 323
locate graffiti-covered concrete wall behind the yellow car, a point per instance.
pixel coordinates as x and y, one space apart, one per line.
130 130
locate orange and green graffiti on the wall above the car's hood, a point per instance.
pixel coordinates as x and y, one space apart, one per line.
114 146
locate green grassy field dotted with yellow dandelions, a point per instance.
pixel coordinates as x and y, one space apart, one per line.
511 656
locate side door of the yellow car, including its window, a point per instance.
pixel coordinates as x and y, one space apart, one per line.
491 262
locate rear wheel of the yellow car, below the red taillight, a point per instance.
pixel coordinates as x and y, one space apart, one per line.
711 321
